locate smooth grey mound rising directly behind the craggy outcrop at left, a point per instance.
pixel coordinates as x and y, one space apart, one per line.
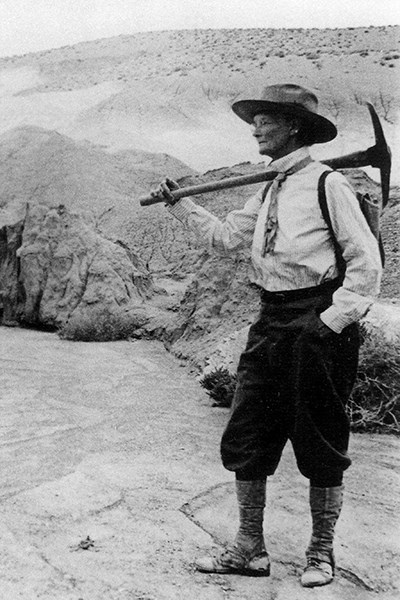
39 165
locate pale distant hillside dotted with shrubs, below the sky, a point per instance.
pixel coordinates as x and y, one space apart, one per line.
171 91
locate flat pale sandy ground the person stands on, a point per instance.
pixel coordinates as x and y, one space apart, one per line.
116 442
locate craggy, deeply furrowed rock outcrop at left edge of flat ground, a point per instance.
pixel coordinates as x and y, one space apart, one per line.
57 270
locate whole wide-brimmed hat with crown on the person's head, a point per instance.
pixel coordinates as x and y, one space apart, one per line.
293 100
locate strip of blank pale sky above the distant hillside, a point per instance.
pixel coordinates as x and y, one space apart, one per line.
33 25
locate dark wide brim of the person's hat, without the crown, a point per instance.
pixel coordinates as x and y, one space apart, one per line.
322 129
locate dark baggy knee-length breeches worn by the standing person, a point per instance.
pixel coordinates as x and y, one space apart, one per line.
293 384
